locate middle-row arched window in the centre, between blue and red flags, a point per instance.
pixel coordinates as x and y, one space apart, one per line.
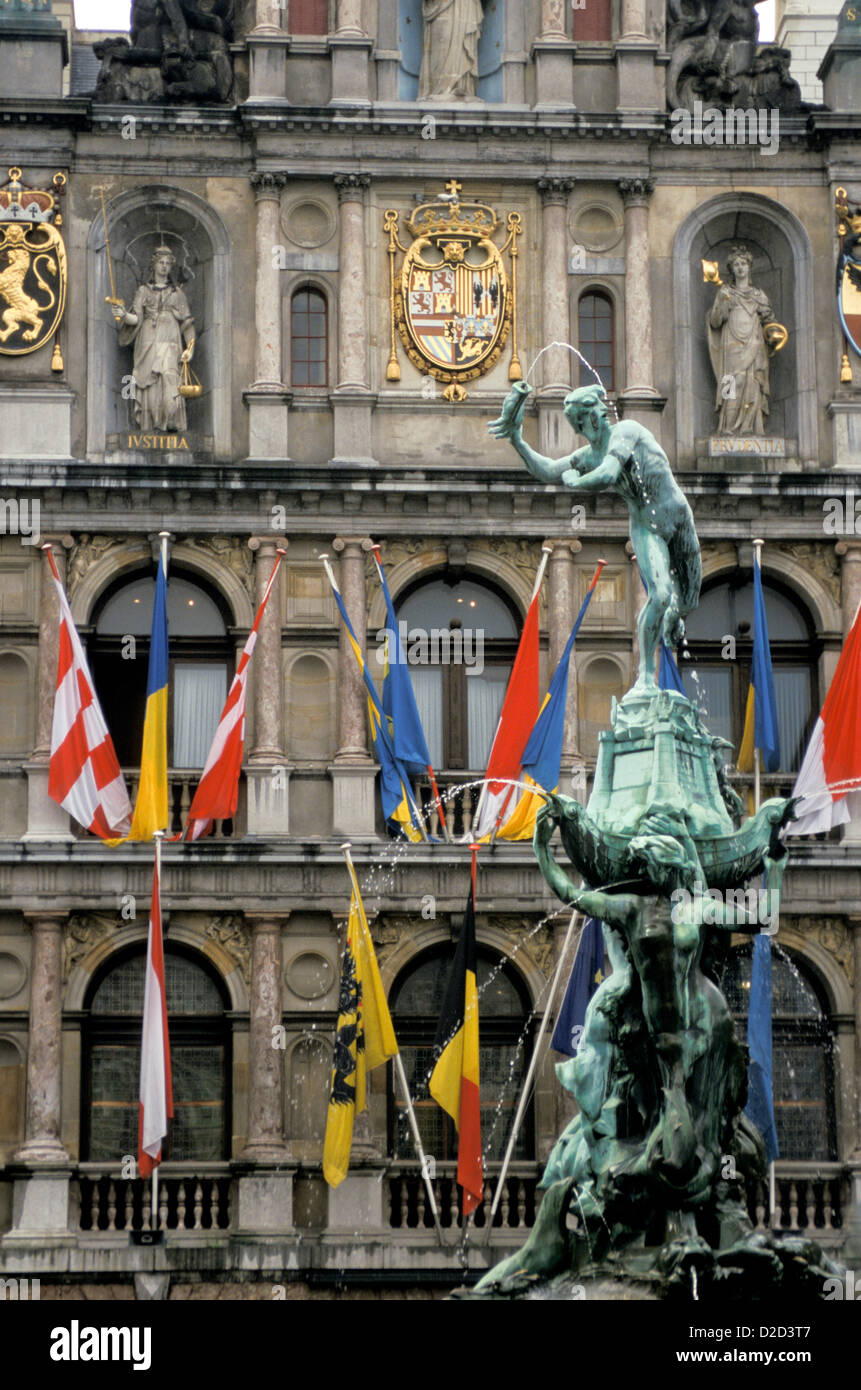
461 644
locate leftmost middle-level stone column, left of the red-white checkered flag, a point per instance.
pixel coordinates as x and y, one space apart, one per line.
45 819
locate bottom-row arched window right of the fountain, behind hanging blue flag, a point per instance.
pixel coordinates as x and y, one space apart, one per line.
803 1053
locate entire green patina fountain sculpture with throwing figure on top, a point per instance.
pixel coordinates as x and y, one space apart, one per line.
647 1185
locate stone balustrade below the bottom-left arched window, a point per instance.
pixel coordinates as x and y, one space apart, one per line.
191 1199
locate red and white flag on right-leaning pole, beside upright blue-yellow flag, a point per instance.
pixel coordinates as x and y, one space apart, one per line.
219 787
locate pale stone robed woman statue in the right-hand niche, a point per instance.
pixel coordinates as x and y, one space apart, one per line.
739 350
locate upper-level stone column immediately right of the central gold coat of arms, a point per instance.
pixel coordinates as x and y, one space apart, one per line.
554 434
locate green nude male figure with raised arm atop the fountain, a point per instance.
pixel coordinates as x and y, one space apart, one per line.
627 459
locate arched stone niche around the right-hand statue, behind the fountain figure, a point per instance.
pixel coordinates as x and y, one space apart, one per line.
784 270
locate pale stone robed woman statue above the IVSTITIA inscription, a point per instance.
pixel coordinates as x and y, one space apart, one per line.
162 329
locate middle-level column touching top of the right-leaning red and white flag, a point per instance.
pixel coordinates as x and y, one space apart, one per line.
268 772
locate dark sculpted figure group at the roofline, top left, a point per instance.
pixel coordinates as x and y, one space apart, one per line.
179 52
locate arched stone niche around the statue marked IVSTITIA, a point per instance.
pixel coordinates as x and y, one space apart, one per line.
138 222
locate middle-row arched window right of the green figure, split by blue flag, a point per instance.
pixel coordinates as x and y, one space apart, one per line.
727 611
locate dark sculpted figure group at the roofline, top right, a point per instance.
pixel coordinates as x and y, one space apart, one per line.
717 59
